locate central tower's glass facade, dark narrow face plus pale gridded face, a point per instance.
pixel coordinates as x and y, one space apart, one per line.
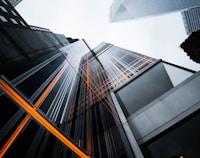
93 111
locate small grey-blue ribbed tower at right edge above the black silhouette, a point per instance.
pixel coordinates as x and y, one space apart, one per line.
191 19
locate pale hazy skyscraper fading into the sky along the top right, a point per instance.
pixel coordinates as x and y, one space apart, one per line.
132 9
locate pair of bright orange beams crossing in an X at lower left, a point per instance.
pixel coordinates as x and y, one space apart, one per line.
32 113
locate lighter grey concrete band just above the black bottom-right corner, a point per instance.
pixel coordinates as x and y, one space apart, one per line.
166 110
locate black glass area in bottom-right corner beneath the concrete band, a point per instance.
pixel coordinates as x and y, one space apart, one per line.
179 141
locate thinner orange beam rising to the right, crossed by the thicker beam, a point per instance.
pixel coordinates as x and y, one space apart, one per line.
23 123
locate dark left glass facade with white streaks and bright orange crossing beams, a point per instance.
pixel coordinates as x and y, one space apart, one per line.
33 103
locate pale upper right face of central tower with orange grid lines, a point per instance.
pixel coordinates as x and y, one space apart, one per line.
123 65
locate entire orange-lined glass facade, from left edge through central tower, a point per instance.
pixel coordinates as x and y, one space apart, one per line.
65 96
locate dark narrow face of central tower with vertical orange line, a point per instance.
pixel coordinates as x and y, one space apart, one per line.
92 111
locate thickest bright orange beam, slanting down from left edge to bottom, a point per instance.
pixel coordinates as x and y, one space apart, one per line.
25 105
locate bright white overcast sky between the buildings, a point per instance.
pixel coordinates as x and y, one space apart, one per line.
158 36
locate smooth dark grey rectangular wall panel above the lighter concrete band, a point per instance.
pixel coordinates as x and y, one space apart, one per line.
144 89
